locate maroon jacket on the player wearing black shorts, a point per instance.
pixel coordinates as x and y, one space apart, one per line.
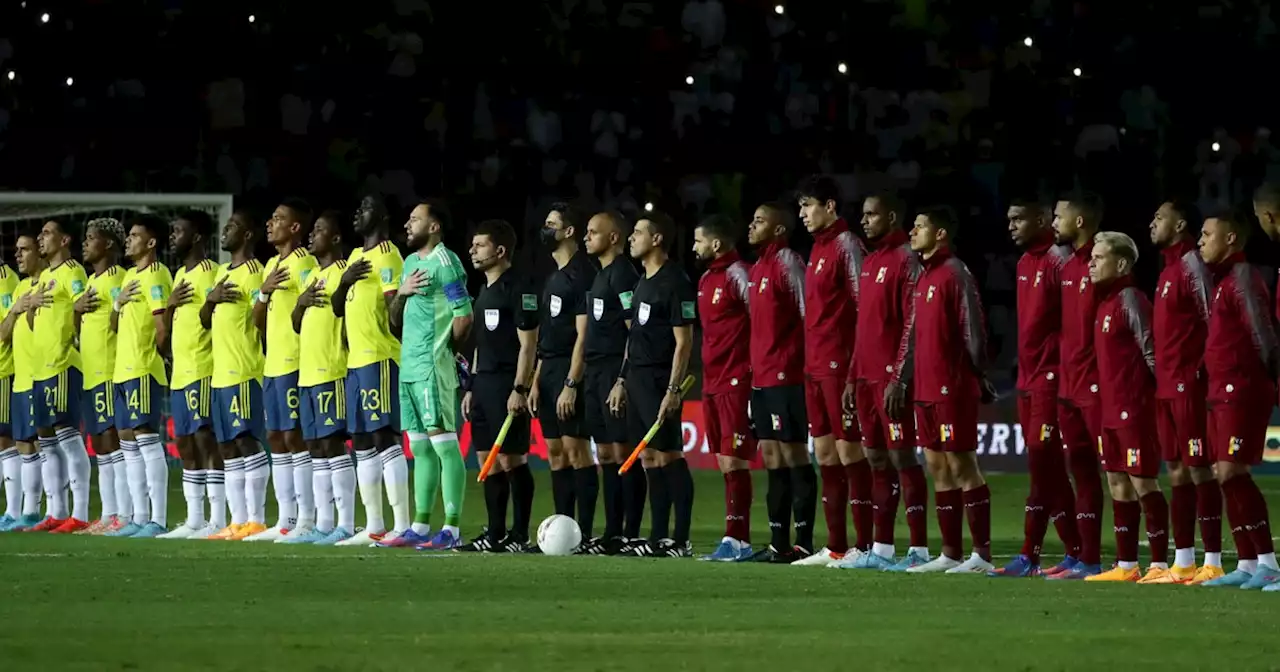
776 296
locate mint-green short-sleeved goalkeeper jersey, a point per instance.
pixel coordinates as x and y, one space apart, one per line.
428 333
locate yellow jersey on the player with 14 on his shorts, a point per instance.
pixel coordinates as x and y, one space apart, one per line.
136 353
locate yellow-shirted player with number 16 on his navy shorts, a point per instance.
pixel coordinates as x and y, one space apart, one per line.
191 397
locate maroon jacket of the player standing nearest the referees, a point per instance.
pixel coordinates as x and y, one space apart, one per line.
726 326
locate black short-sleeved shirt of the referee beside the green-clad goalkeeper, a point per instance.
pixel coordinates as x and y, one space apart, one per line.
504 309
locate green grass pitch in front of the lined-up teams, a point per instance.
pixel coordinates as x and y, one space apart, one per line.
94 604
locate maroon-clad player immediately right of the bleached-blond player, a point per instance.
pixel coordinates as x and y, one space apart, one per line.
1181 327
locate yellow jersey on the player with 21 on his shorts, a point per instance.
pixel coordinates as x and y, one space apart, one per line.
56 324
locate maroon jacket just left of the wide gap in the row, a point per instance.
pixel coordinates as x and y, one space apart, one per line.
950 332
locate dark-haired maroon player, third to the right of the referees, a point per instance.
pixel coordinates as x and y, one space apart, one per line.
831 319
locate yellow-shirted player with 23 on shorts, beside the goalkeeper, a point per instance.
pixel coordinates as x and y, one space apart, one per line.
363 300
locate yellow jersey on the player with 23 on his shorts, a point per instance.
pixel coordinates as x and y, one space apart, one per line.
369 331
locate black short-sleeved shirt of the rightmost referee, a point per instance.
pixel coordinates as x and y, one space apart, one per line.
664 301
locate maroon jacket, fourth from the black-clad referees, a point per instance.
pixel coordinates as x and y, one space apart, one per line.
884 344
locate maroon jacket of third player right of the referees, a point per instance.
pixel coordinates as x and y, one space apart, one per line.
831 301
